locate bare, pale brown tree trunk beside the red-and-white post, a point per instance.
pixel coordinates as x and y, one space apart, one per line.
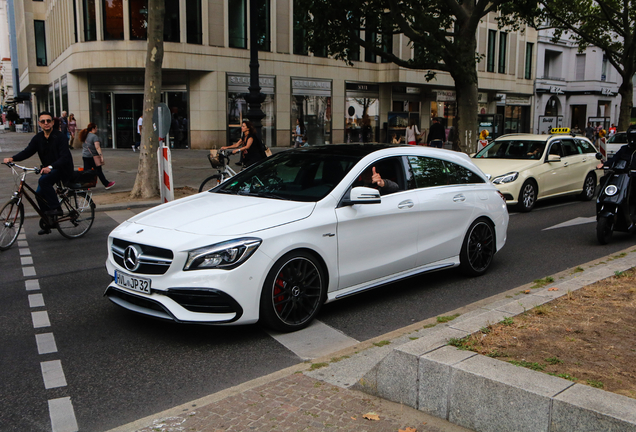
147 180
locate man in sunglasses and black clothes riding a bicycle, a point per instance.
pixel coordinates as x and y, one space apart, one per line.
57 162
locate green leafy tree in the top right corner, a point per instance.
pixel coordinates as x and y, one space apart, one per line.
607 24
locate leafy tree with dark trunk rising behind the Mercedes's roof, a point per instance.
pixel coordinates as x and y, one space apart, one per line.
442 32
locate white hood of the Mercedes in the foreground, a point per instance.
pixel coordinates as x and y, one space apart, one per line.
219 214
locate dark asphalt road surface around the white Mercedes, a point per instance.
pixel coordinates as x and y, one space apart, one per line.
119 367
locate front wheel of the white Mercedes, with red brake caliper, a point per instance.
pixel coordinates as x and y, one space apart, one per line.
294 291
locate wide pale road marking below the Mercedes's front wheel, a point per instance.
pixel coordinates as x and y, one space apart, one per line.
315 341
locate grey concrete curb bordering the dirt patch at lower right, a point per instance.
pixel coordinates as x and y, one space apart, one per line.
479 392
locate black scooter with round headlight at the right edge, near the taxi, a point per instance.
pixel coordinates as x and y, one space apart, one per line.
615 209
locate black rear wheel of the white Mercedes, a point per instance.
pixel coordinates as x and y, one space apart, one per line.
478 248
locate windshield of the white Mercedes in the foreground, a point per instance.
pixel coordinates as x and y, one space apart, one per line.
291 175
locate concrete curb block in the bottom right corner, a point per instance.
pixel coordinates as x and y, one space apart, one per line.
585 409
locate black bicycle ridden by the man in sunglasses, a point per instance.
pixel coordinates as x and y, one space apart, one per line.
78 209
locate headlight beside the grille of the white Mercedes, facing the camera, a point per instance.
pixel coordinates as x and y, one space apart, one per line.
226 255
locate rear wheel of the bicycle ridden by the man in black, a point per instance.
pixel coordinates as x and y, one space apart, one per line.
79 214
